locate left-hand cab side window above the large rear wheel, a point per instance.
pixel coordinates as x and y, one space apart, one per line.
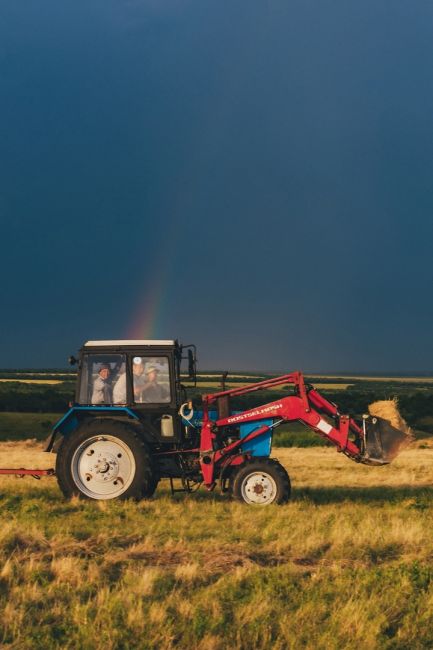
103 379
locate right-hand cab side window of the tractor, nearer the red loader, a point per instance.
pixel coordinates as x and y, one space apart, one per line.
151 380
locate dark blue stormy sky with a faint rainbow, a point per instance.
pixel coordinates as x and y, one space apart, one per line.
252 176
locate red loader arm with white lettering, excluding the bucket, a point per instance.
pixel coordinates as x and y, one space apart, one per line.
307 406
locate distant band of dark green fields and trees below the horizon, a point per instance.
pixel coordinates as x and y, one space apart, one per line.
50 391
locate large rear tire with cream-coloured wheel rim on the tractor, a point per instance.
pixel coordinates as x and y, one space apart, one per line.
122 467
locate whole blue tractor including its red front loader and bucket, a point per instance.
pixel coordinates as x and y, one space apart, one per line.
132 425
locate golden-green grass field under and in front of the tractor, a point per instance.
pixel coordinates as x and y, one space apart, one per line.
346 564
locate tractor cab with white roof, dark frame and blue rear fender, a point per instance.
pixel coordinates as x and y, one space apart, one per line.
134 380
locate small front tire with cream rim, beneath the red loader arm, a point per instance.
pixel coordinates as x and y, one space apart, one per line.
261 481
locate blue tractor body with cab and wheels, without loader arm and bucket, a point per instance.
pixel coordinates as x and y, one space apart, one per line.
131 424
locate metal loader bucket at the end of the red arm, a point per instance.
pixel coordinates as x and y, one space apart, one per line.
382 441
